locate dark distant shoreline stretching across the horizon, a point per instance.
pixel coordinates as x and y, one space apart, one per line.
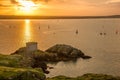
56 17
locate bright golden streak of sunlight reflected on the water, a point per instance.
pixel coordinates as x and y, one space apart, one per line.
27 31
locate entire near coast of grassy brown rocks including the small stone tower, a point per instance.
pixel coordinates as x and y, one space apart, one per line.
30 63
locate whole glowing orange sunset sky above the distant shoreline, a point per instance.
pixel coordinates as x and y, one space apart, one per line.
60 7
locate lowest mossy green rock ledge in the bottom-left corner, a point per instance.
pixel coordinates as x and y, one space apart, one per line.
8 73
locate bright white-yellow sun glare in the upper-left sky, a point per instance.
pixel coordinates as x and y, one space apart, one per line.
26 6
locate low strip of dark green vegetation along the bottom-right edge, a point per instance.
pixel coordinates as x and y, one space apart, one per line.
87 77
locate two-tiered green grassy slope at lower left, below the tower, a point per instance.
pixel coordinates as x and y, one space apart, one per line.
17 67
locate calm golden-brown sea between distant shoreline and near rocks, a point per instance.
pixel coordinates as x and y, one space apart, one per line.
105 49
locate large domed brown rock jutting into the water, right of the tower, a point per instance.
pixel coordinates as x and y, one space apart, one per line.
66 52
